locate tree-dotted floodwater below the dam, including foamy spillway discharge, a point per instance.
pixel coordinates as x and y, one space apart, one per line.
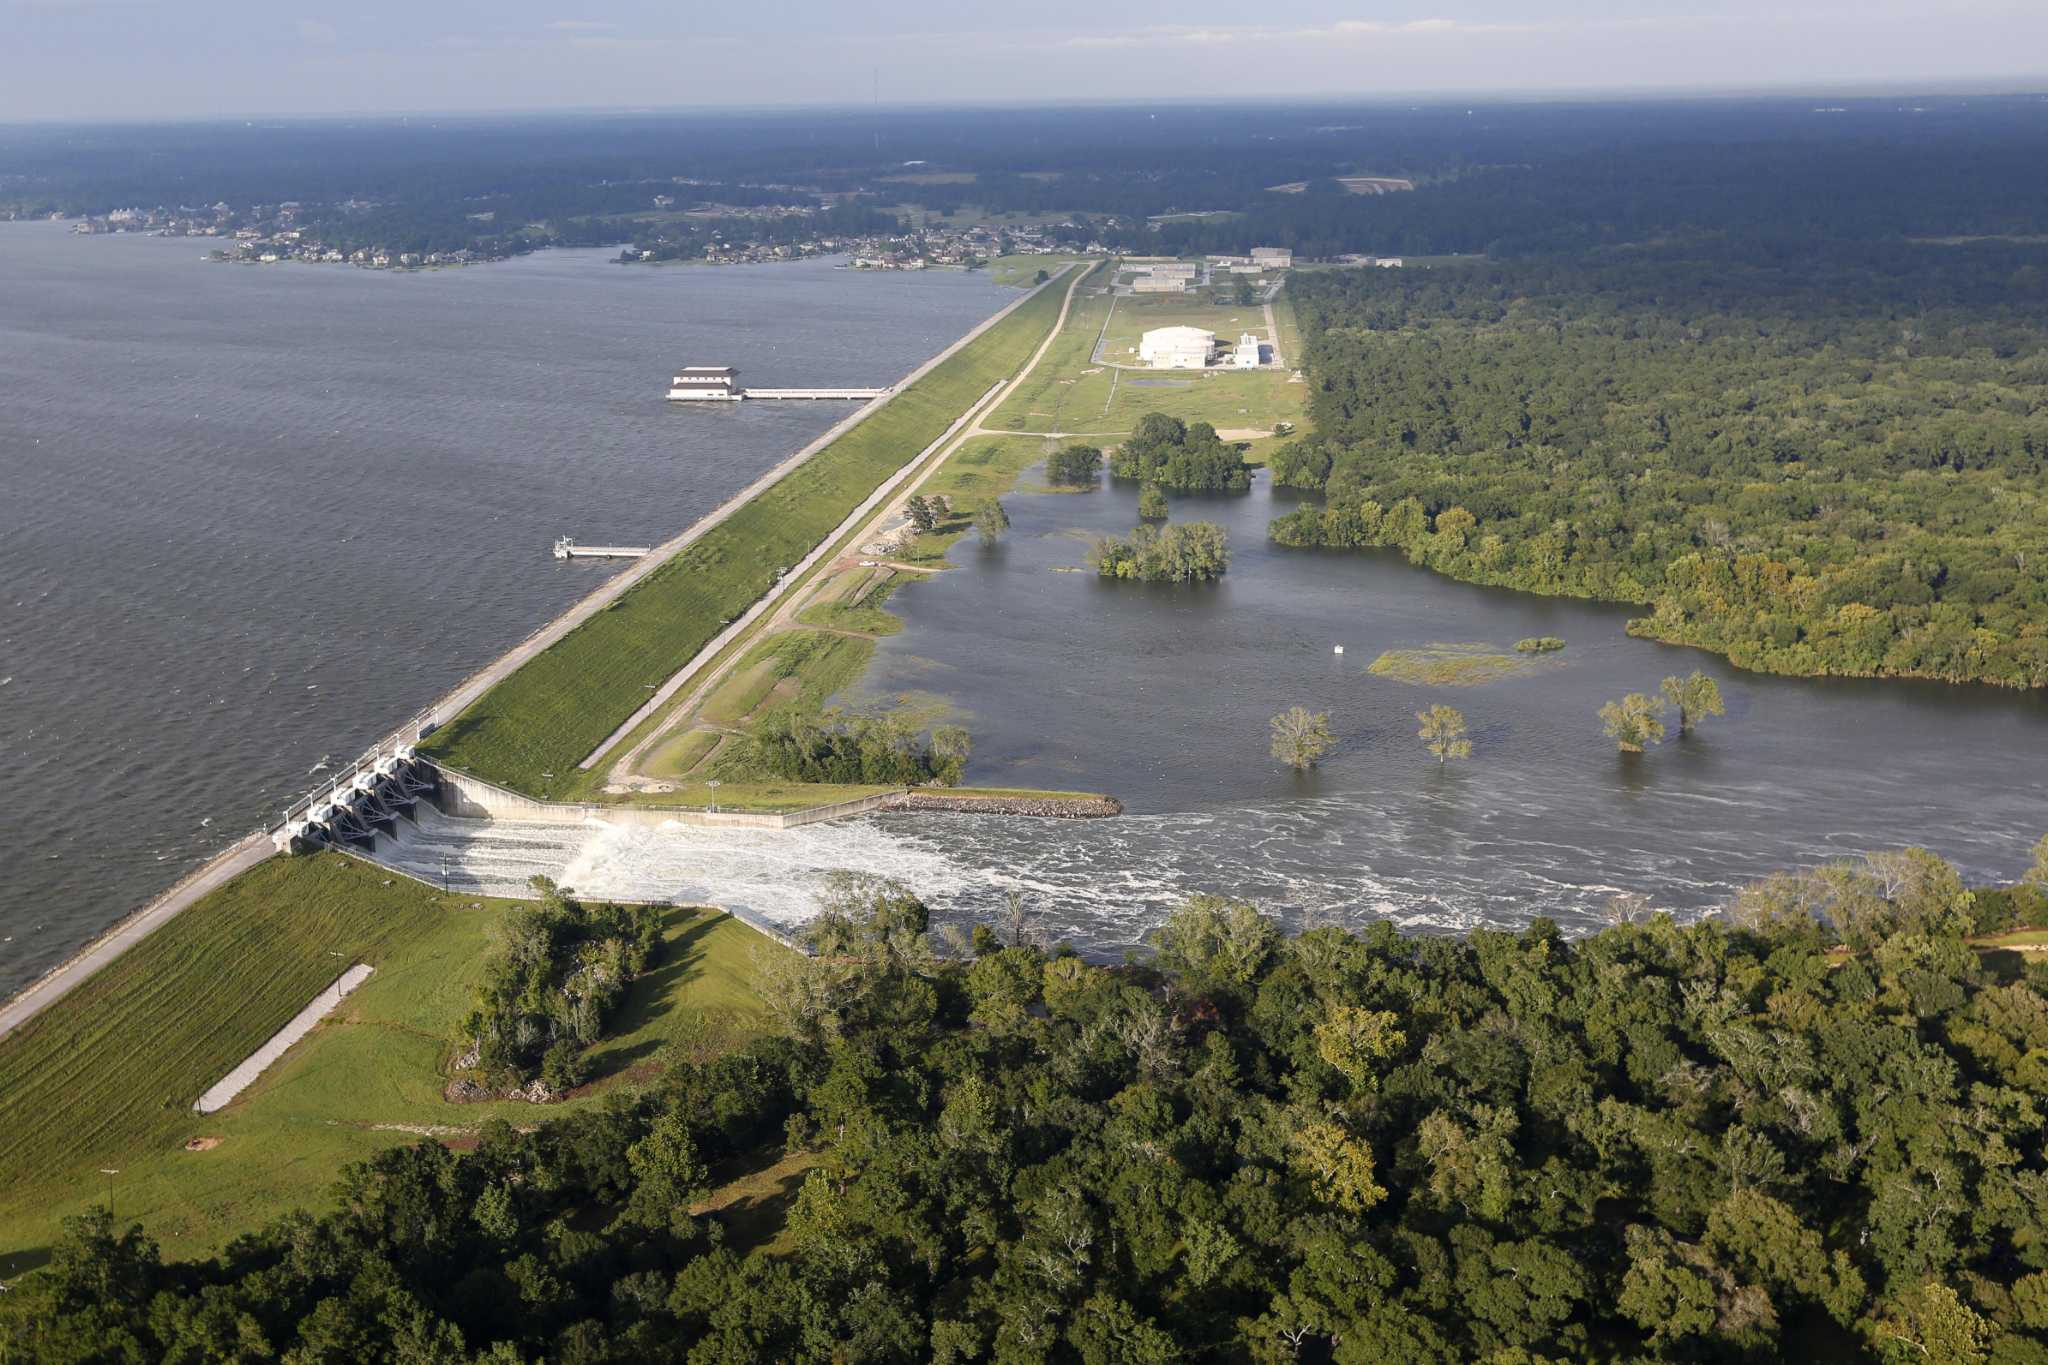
1162 697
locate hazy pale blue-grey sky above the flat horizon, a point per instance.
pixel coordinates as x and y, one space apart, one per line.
151 58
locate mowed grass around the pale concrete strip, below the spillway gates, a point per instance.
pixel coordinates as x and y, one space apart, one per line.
108 1077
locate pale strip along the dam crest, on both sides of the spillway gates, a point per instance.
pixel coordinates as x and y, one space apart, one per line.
249 852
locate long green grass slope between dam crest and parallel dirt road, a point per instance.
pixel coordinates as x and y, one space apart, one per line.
562 705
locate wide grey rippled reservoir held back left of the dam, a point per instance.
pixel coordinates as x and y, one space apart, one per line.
253 517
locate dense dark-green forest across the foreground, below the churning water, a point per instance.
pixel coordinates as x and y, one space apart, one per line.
1805 1131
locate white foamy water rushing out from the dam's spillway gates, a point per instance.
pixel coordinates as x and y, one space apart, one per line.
1097 885
